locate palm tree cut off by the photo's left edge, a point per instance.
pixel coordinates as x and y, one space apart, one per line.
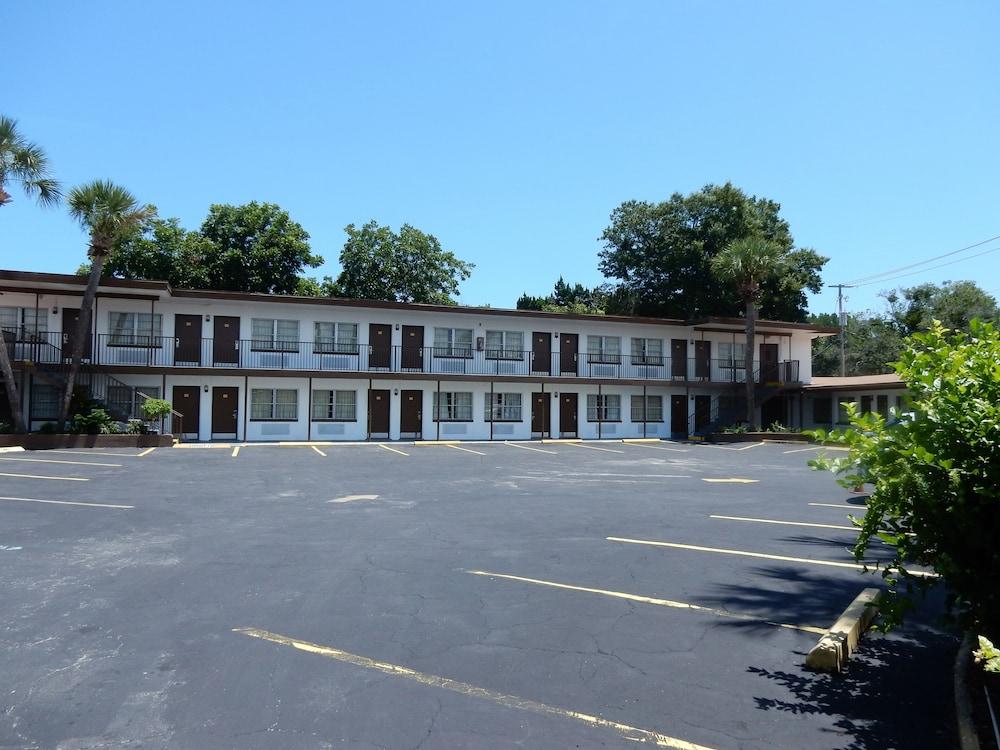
24 162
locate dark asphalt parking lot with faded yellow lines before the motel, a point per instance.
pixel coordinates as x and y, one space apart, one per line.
537 595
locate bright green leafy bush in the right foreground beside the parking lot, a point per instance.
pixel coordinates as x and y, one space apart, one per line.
936 474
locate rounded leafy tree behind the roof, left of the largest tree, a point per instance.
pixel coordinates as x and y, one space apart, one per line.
408 266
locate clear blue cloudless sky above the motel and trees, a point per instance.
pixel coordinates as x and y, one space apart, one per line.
510 130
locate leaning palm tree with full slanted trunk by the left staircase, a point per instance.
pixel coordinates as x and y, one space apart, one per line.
108 212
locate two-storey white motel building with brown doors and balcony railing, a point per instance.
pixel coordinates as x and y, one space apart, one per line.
259 367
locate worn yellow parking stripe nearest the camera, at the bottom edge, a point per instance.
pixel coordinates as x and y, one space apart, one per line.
463 688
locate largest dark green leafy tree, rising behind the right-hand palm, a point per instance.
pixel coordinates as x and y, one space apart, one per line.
661 253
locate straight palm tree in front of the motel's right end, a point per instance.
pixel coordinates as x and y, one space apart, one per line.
745 263
